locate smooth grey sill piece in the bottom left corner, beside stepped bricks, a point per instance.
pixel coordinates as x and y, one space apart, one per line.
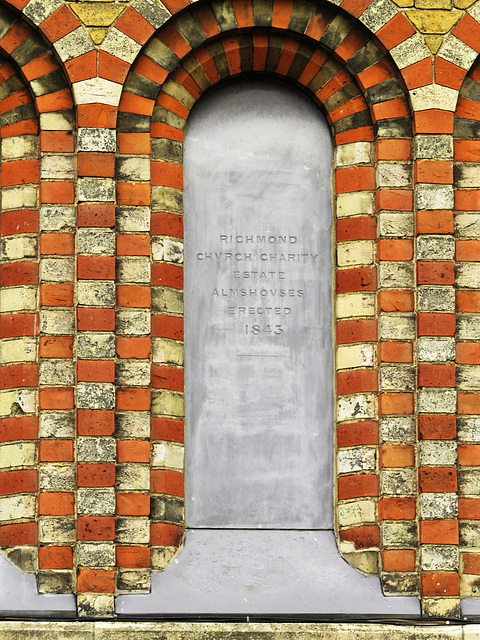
19 596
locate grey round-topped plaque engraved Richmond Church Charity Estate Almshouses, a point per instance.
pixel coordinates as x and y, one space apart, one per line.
258 310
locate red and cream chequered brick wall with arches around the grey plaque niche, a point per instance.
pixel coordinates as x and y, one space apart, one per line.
94 99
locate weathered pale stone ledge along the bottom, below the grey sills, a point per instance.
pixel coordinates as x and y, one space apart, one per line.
42 630
